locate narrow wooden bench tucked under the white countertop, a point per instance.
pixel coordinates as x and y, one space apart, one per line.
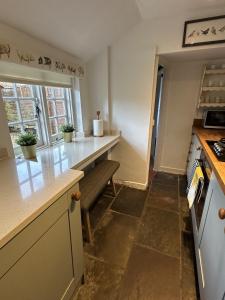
91 187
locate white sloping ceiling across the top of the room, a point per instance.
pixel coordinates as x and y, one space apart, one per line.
85 27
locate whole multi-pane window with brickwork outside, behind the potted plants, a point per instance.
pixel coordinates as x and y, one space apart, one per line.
37 109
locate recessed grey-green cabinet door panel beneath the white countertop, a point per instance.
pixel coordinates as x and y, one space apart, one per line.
45 272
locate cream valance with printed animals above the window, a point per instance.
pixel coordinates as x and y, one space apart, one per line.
12 54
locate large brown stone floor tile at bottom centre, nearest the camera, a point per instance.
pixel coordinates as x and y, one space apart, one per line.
150 276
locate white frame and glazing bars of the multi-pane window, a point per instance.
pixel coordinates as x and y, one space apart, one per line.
40 99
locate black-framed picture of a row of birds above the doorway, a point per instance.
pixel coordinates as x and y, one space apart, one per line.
204 31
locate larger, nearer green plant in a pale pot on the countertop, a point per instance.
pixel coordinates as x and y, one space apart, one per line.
27 142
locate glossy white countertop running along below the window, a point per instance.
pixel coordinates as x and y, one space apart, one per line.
28 187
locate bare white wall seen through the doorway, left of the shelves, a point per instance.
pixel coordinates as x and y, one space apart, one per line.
179 101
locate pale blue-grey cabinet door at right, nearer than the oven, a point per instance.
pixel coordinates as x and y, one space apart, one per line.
212 248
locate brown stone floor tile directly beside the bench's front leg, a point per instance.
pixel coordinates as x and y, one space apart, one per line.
113 238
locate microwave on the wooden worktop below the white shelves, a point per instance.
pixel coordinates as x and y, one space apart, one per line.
214 119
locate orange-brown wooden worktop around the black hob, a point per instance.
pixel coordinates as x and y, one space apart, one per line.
217 166
